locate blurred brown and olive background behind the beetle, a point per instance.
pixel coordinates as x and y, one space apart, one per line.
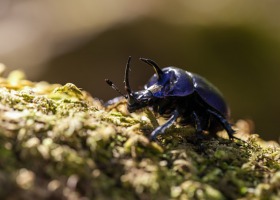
233 43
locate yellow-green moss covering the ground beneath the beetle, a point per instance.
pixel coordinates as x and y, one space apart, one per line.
57 142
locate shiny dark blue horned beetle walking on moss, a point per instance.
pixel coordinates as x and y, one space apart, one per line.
180 96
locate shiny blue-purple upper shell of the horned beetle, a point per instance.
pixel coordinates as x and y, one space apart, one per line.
184 83
